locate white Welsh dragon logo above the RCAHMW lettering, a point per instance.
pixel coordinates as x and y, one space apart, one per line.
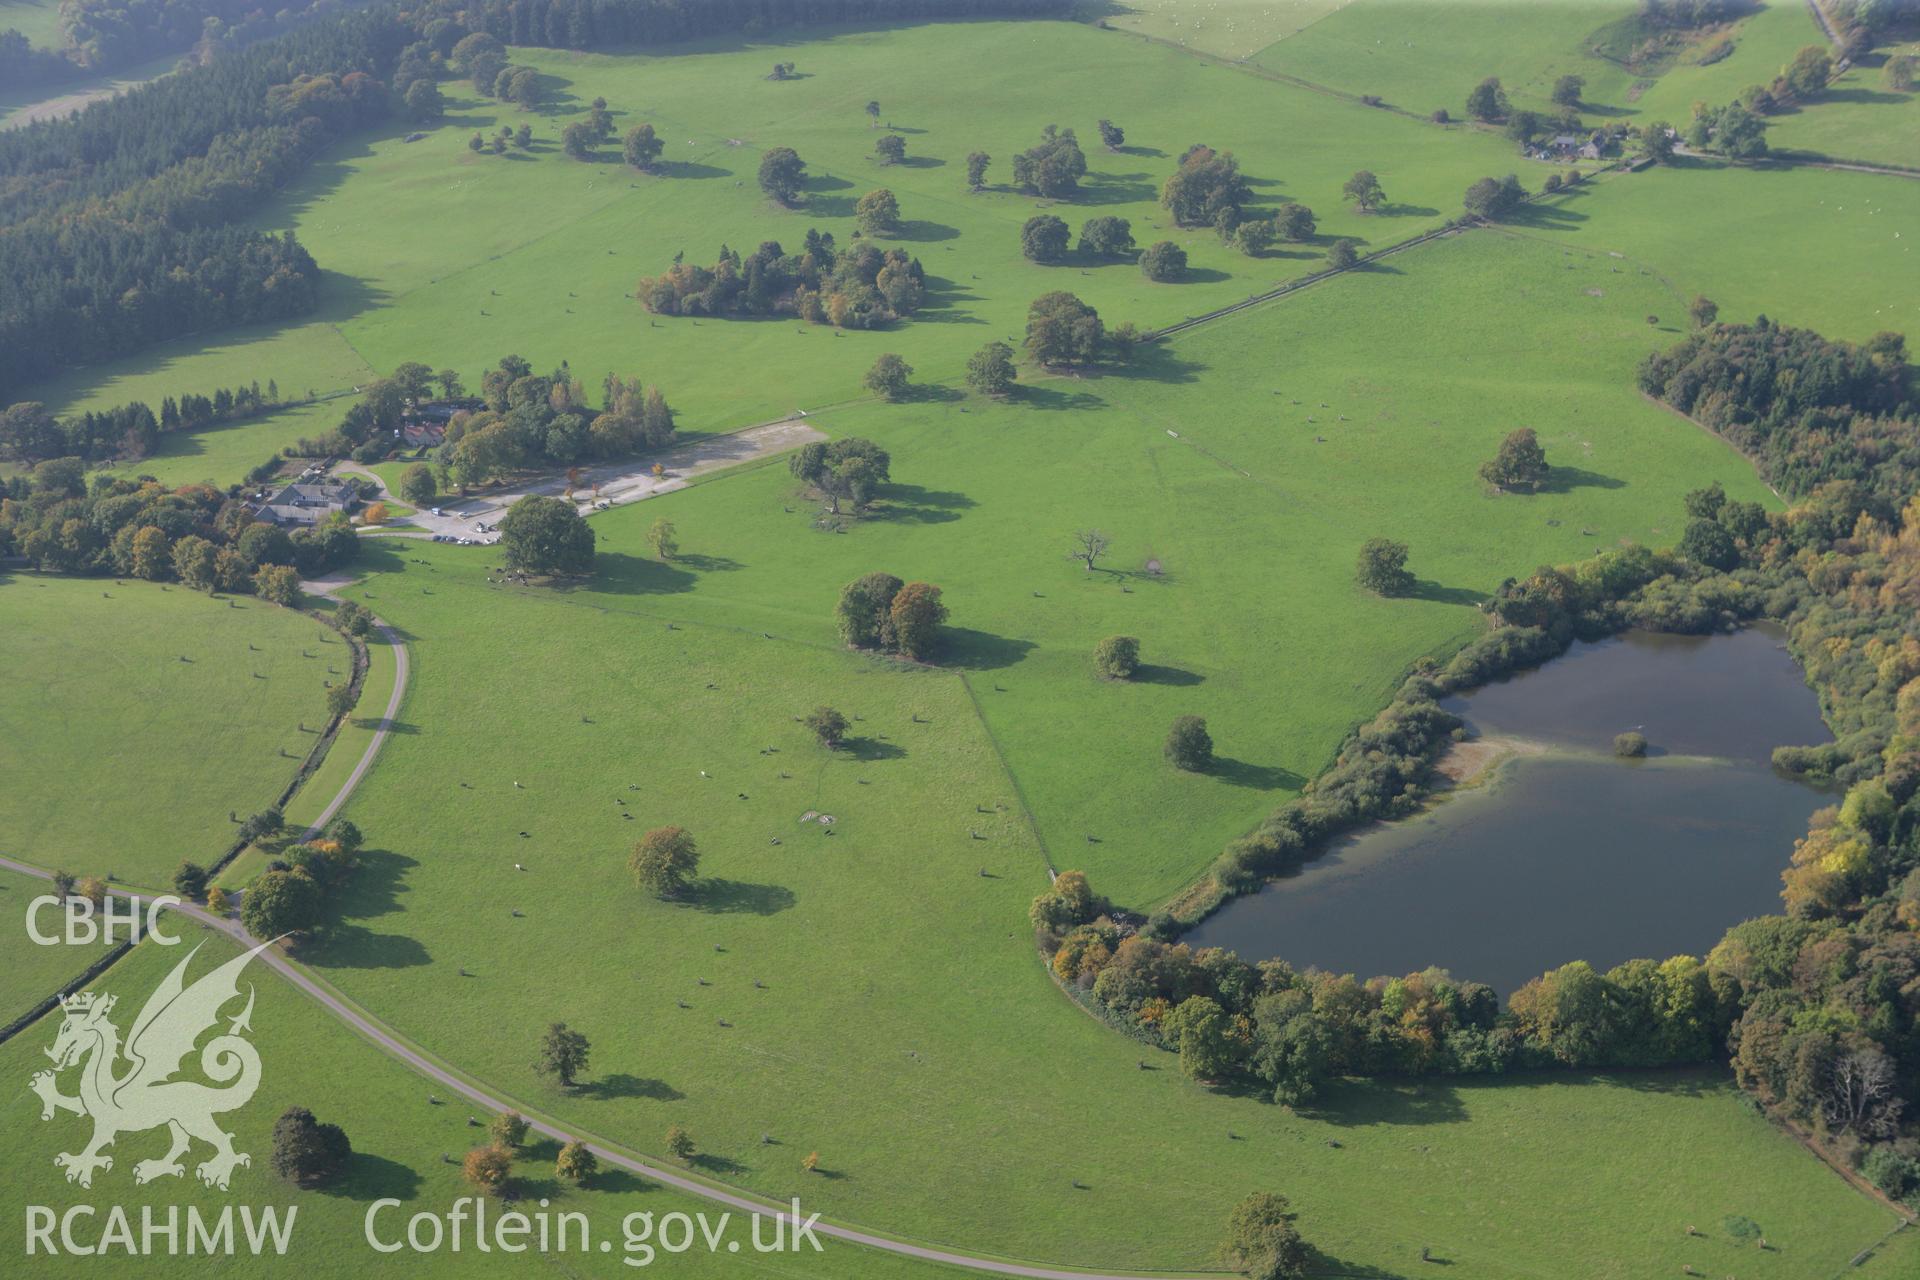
147 1095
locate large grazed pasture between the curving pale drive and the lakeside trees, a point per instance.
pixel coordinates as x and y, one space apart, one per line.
901 1026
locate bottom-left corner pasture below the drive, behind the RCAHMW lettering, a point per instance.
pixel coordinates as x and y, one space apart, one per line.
400 1147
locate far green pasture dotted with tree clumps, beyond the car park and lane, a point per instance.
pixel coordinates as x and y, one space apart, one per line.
548 249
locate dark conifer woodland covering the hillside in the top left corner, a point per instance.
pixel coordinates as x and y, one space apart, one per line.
118 224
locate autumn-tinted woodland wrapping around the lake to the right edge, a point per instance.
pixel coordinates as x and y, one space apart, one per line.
1817 1008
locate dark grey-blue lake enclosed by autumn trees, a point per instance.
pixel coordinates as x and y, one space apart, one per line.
1572 855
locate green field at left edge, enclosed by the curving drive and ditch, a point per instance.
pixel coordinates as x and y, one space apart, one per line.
120 757
